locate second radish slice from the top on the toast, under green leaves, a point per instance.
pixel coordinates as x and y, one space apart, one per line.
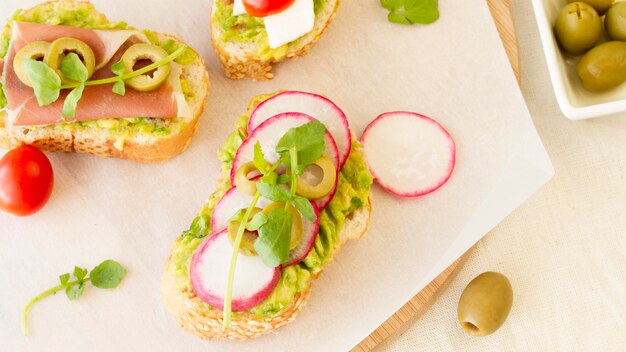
269 133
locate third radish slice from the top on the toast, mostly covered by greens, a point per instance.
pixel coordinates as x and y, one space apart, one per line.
234 200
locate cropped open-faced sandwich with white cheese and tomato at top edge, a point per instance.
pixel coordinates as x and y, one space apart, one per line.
251 35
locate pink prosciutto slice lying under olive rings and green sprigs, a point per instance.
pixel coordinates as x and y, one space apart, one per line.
99 101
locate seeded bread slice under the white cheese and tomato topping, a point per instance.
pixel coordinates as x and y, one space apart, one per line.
242 59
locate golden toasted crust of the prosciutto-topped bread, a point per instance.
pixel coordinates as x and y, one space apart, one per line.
101 142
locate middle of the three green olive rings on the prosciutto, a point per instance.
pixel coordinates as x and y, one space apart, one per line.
63 46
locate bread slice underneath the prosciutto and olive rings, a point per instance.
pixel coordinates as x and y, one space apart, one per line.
86 138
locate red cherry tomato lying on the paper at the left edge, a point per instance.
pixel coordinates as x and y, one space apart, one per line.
26 180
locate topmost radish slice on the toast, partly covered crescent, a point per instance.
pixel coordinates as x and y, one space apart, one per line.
313 105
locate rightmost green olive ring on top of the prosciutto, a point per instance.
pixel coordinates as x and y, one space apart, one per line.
149 81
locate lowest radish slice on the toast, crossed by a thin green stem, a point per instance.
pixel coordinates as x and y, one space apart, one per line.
210 263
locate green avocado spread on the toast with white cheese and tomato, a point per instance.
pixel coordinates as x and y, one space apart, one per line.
249 29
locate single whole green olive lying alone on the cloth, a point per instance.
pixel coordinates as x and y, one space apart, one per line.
485 303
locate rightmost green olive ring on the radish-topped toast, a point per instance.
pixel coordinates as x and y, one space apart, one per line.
318 179
